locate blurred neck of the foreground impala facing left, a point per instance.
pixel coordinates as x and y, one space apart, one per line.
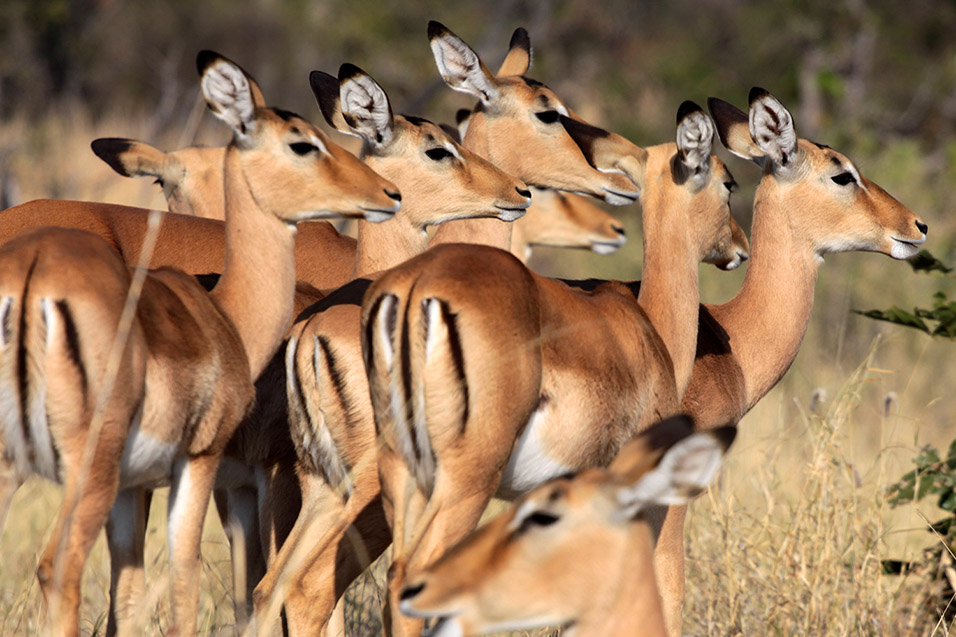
631 605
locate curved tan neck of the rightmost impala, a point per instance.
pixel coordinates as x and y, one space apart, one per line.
767 319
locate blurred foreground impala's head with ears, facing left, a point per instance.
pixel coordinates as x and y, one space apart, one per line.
563 550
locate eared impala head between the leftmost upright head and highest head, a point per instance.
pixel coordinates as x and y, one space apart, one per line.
441 181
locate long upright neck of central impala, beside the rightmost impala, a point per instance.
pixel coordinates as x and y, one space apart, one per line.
670 292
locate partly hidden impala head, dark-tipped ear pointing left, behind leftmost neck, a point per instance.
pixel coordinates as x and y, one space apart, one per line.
191 178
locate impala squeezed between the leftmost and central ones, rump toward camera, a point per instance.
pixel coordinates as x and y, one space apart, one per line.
330 414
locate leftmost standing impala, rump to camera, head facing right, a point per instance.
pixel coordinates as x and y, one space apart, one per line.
188 360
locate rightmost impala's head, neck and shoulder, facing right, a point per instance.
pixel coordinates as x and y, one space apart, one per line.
811 201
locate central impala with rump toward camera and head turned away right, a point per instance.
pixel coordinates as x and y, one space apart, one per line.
487 378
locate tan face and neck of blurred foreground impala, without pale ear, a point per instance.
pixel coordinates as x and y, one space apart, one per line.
572 553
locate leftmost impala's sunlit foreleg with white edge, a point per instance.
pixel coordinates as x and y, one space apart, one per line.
193 480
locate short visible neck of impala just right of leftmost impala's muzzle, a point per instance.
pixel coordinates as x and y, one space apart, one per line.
384 245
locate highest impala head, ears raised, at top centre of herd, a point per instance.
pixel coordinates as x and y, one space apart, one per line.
520 120
